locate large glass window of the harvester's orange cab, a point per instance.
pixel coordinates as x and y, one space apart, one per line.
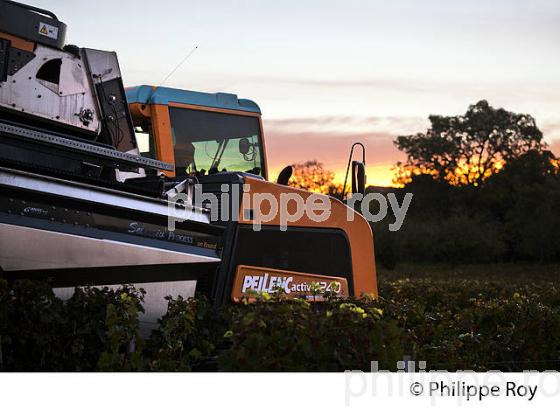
208 142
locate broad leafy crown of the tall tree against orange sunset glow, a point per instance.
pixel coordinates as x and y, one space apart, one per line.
467 149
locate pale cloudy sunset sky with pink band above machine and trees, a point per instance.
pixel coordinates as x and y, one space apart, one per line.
328 73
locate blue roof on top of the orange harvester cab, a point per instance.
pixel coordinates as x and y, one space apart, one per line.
145 94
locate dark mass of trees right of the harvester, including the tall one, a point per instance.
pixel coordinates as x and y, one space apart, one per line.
486 189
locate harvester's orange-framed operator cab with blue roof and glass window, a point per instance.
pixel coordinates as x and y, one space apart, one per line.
200 133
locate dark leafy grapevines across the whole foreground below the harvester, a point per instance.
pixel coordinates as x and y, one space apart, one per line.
501 317
